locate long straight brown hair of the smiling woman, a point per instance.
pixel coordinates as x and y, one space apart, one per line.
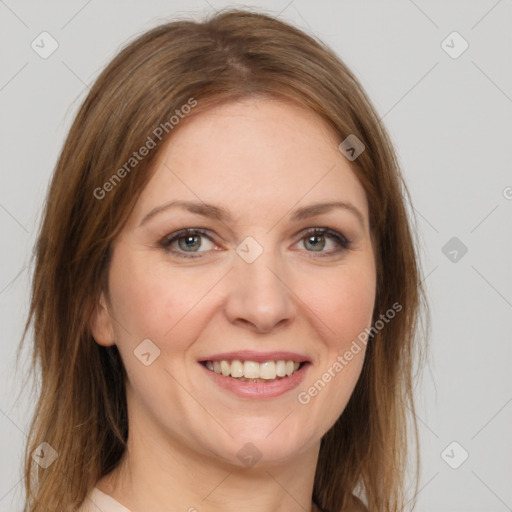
81 411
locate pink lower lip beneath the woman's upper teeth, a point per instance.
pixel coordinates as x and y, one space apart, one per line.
259 390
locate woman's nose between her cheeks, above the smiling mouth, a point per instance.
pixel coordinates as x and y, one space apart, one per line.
259 297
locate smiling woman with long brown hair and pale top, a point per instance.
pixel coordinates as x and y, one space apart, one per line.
226 288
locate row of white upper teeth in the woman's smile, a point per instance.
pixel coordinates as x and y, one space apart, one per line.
268 370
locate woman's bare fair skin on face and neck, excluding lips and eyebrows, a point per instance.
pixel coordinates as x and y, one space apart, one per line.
261 159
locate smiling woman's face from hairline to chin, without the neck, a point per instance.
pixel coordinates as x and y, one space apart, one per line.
251 180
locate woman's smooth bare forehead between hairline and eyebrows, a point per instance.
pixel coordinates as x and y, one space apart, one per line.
253 156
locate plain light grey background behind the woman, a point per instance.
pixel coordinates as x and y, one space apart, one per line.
451 122
